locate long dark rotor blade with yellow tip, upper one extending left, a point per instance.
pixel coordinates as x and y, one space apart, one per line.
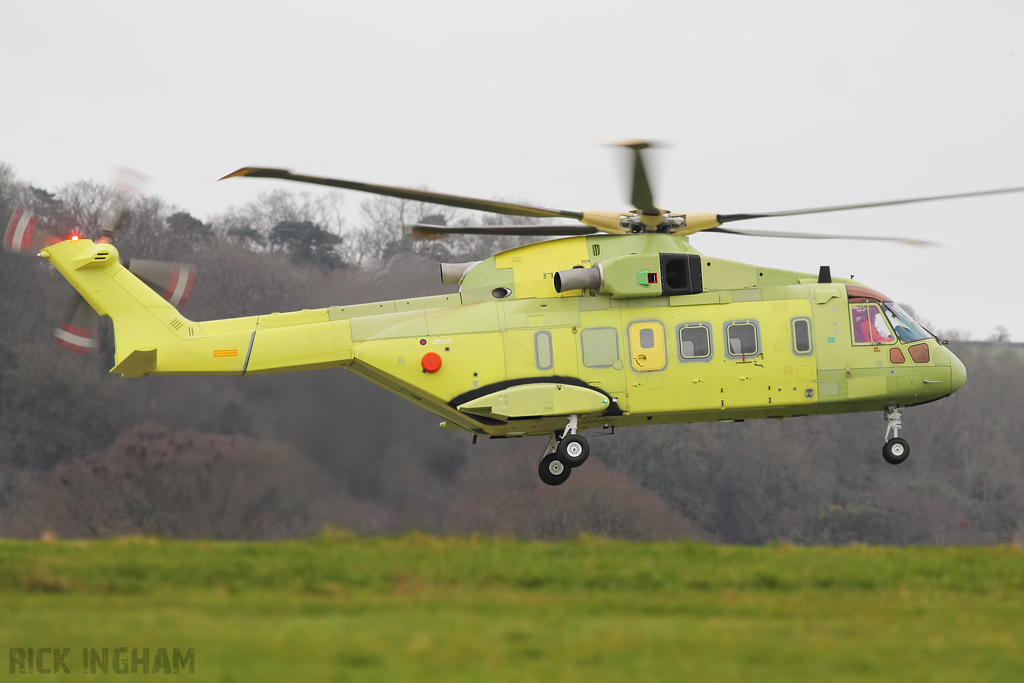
491 206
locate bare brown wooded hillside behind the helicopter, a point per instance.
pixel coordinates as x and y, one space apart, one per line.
83 453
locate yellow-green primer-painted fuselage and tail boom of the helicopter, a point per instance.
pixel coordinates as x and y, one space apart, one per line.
517 365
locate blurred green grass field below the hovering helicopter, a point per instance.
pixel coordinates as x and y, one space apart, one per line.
342 608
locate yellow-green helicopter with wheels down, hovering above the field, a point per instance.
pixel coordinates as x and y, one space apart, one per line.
619 321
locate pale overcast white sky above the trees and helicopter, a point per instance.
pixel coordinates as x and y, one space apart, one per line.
766 107
